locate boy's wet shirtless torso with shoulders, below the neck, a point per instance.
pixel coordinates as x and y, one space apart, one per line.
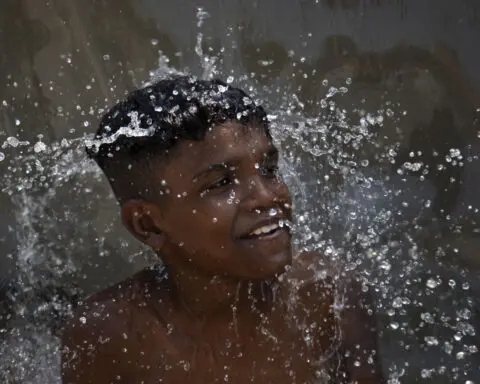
136 332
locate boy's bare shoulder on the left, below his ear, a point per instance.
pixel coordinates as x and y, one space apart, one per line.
106 335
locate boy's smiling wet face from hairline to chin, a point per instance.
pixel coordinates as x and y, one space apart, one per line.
224 205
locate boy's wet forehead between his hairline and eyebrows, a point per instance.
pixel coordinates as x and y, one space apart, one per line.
223 143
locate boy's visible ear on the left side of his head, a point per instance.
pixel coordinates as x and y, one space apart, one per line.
143 220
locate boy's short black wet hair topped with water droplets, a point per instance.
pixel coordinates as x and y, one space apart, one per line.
144 129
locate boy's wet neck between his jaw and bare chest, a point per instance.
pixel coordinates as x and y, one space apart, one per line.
205 296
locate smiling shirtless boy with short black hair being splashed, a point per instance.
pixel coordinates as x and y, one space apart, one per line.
195 171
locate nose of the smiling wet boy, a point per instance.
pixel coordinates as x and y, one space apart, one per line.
265 194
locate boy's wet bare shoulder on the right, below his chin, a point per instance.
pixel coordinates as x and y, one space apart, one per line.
343 301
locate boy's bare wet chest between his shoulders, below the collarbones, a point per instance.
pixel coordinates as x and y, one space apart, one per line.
271 353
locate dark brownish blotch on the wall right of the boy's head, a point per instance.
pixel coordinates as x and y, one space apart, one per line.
434 100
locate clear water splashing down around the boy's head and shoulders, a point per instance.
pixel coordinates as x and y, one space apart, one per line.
348 207
